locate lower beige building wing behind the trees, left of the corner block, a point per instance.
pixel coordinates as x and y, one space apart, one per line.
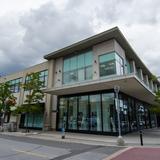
35 120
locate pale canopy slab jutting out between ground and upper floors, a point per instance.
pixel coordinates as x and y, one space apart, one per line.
129 85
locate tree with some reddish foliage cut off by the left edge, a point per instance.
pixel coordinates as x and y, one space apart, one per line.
7 100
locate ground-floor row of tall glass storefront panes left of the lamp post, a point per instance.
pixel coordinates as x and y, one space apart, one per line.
93 113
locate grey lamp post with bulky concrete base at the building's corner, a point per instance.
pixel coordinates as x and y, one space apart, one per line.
120 140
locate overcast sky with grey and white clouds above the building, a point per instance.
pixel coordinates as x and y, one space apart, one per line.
29 29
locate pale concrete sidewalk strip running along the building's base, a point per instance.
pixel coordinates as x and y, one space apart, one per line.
150 137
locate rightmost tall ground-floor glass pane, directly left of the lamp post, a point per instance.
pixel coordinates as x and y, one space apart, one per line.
109 113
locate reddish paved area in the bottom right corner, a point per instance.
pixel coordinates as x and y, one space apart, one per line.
136 154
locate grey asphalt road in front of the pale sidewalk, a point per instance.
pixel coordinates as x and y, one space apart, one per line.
24 148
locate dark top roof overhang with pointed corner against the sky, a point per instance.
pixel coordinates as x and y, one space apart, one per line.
113 33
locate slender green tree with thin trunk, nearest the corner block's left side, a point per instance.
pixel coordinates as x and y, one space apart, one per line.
33 97
